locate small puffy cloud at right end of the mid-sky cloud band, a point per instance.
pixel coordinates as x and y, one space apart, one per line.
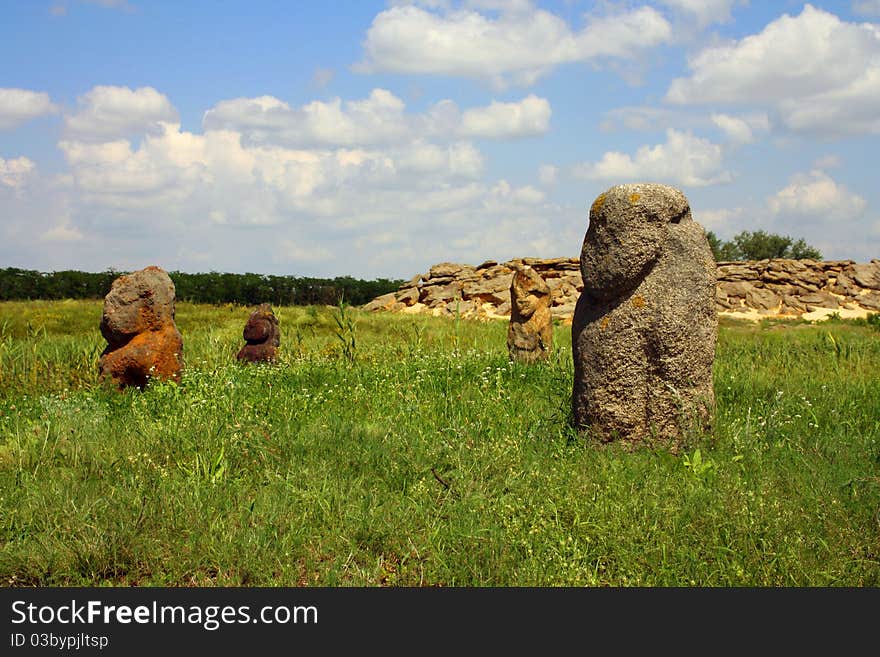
530 116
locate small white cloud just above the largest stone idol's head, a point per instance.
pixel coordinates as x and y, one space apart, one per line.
684 159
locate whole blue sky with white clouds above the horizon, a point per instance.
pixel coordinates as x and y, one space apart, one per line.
375 139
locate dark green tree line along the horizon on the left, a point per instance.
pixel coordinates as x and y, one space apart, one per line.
212 287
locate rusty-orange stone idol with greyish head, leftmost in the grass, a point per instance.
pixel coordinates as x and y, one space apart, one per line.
138 324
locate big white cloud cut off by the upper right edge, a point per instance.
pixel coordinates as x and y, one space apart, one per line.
816 71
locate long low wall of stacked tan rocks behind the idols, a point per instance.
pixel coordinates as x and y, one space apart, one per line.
763 288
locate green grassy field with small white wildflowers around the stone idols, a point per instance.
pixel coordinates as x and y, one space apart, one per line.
394 450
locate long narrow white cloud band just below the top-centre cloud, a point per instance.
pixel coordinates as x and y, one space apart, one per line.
381 118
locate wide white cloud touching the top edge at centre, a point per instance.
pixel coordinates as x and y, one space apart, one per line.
520 45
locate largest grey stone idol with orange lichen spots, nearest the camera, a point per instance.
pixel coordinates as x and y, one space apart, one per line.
645 326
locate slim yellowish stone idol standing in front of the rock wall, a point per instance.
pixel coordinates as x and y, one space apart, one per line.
530 332
